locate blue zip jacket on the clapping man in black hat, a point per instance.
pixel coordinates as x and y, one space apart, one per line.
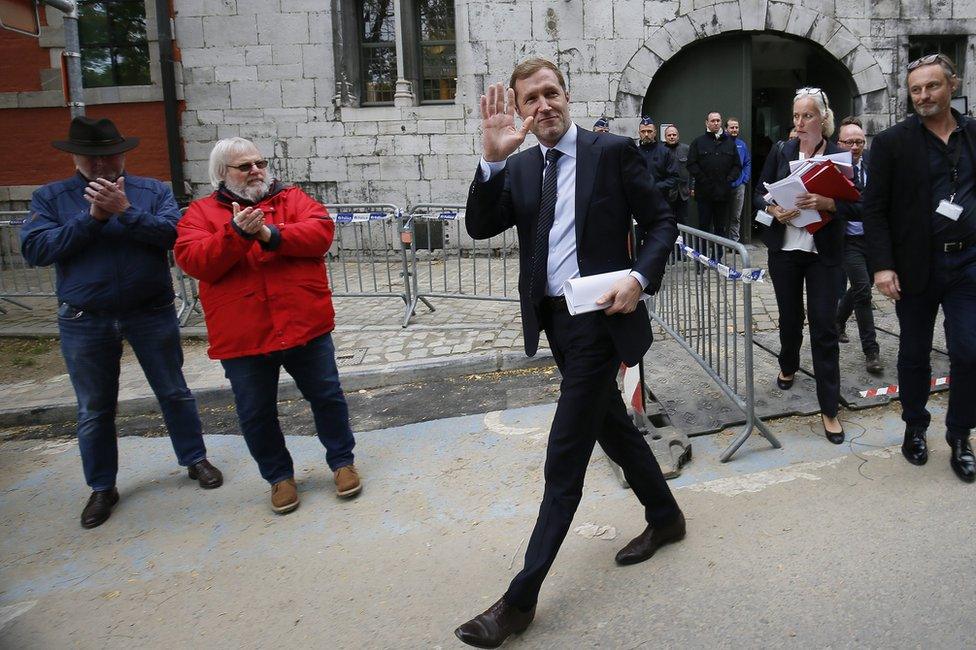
115 266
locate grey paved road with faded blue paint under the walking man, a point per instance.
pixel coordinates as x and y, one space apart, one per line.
810 546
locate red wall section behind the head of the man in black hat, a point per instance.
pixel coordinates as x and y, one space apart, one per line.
26 135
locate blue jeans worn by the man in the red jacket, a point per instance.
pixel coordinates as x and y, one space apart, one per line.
254 380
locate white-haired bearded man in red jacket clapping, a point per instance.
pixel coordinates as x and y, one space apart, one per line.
258 250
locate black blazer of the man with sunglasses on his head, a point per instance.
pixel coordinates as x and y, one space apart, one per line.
898 202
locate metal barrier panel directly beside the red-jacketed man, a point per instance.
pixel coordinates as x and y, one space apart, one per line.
368 257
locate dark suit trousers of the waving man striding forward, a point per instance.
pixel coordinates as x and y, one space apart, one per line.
590 410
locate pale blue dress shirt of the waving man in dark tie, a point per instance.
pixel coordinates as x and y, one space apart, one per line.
563 264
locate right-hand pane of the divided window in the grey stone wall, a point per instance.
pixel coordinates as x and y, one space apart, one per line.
438 50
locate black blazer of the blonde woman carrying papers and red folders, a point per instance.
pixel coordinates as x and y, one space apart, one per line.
829 239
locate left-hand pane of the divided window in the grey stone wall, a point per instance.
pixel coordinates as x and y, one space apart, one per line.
377 50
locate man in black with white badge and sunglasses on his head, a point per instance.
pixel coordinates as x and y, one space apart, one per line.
920 223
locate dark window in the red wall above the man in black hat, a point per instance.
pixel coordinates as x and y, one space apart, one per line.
114 48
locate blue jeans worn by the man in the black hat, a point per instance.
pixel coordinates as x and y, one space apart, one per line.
92 348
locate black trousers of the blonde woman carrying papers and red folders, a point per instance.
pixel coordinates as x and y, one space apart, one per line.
790 271
